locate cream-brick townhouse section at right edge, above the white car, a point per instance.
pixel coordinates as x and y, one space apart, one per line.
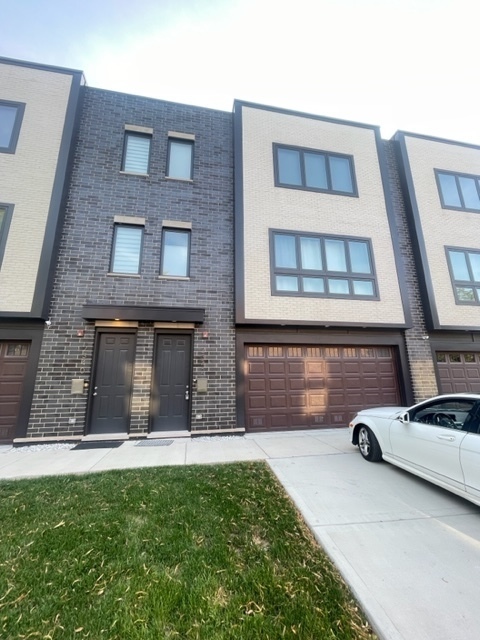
441 183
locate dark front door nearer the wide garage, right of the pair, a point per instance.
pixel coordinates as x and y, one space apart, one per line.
171 383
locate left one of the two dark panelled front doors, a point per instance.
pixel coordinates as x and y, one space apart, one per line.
112 383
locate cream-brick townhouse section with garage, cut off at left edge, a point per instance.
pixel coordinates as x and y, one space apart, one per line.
39 107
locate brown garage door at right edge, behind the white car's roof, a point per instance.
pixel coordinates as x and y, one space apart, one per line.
459 372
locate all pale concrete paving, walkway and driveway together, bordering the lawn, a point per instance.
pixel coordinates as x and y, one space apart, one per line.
409 550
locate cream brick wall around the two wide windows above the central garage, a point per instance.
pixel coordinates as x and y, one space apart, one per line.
267 206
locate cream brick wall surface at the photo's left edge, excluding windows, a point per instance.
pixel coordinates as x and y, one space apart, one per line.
27 176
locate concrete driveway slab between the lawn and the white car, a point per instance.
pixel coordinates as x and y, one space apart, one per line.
410 551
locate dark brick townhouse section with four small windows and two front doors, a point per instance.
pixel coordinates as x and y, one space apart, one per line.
142 337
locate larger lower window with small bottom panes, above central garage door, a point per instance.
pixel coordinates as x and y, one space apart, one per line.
322 266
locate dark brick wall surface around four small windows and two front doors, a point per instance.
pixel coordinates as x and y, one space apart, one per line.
98 192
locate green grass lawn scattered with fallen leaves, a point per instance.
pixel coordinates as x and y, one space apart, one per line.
200 552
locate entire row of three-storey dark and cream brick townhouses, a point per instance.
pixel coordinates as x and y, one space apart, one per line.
168 270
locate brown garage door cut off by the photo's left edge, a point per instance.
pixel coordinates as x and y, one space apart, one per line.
13 364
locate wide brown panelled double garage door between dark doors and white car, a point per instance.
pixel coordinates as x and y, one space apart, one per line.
301 387
